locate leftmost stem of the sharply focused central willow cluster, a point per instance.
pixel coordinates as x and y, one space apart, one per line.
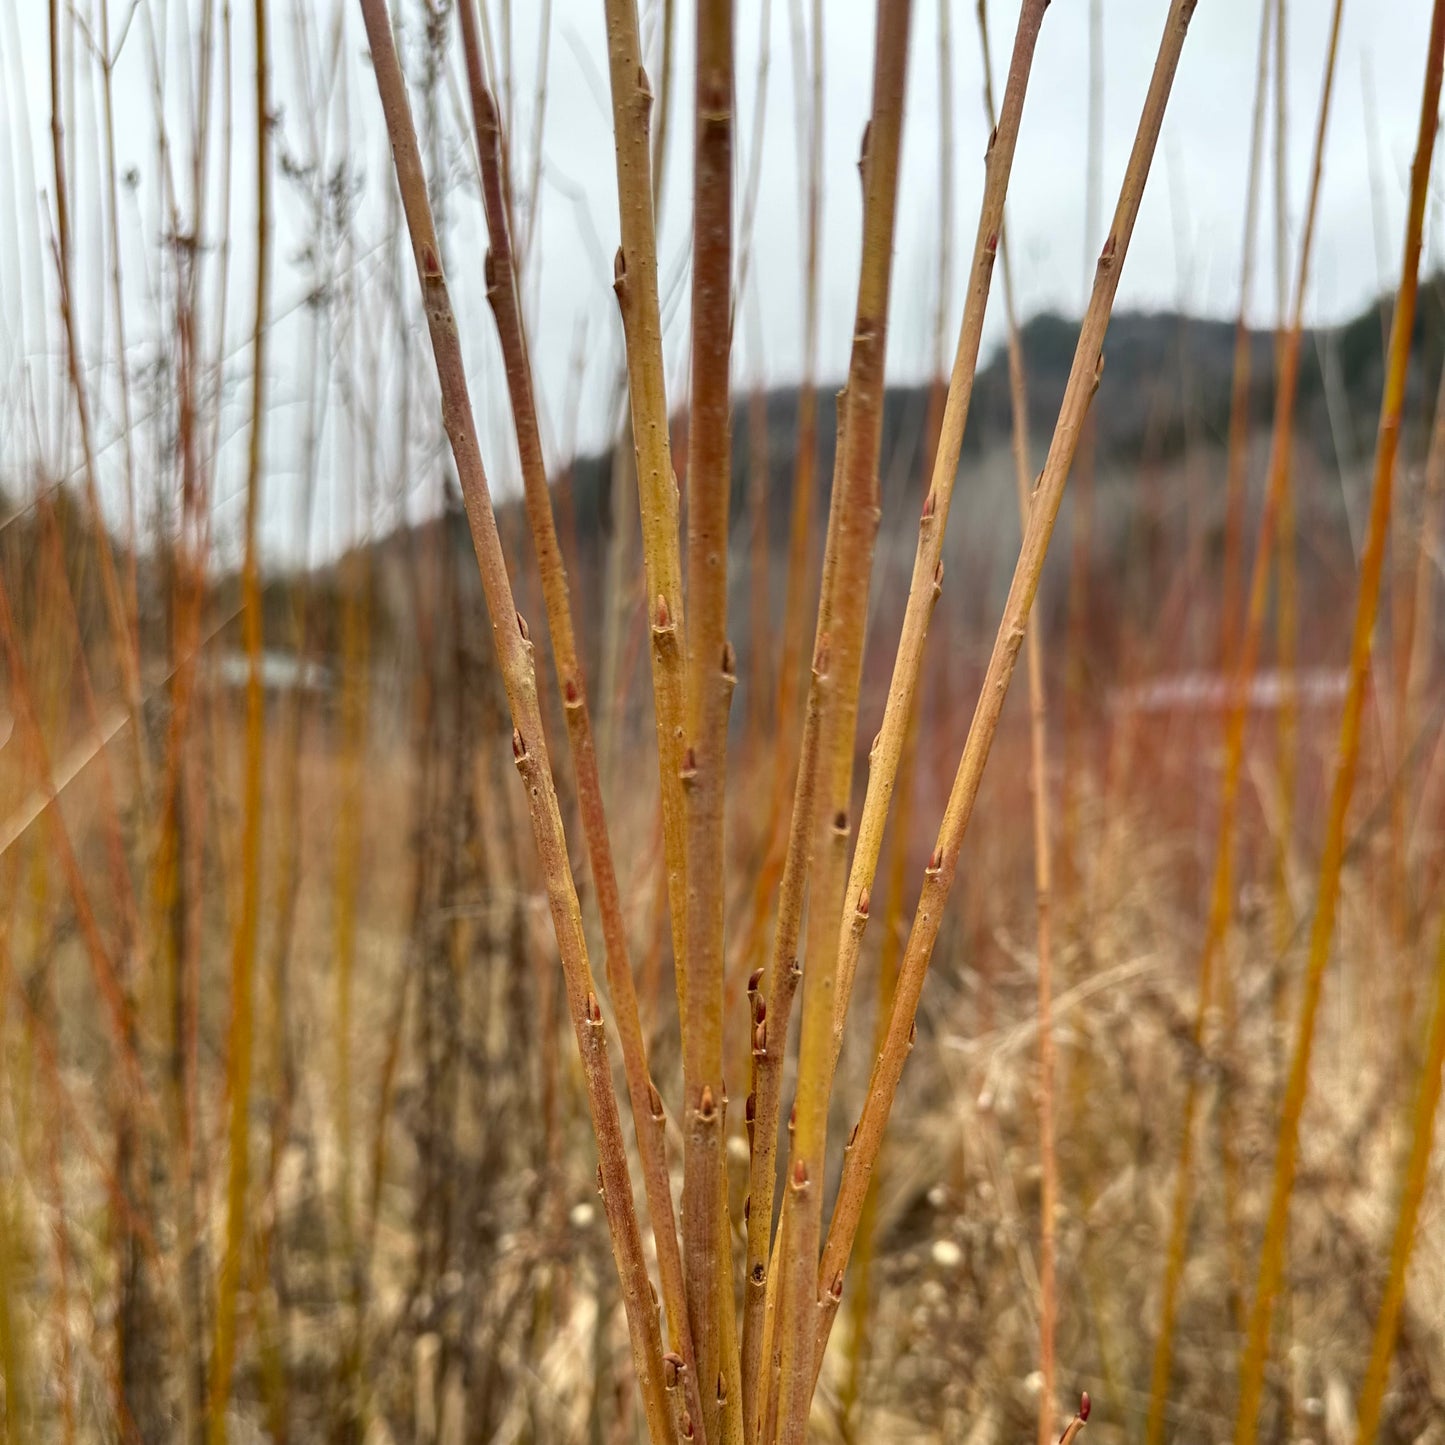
528 742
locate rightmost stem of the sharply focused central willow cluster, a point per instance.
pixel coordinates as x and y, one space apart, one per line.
943 865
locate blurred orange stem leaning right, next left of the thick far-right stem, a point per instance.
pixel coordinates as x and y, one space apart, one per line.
1222 891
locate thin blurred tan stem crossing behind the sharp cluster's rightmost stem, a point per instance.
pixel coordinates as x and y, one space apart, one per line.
1043 845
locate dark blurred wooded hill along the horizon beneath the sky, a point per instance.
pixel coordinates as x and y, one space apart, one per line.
1161 420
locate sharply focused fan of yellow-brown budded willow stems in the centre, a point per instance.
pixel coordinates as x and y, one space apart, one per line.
716 1379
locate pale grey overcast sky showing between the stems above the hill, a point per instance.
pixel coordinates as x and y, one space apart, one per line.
1187 248
